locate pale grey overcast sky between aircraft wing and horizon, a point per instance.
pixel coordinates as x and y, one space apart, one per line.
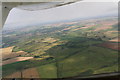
79 10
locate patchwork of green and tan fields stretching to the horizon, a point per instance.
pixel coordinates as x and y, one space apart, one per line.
80 48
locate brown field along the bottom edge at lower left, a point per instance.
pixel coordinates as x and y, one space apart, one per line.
27 73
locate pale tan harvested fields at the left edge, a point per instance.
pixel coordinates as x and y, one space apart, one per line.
11 57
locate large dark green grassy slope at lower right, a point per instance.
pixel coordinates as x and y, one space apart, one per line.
92 60
